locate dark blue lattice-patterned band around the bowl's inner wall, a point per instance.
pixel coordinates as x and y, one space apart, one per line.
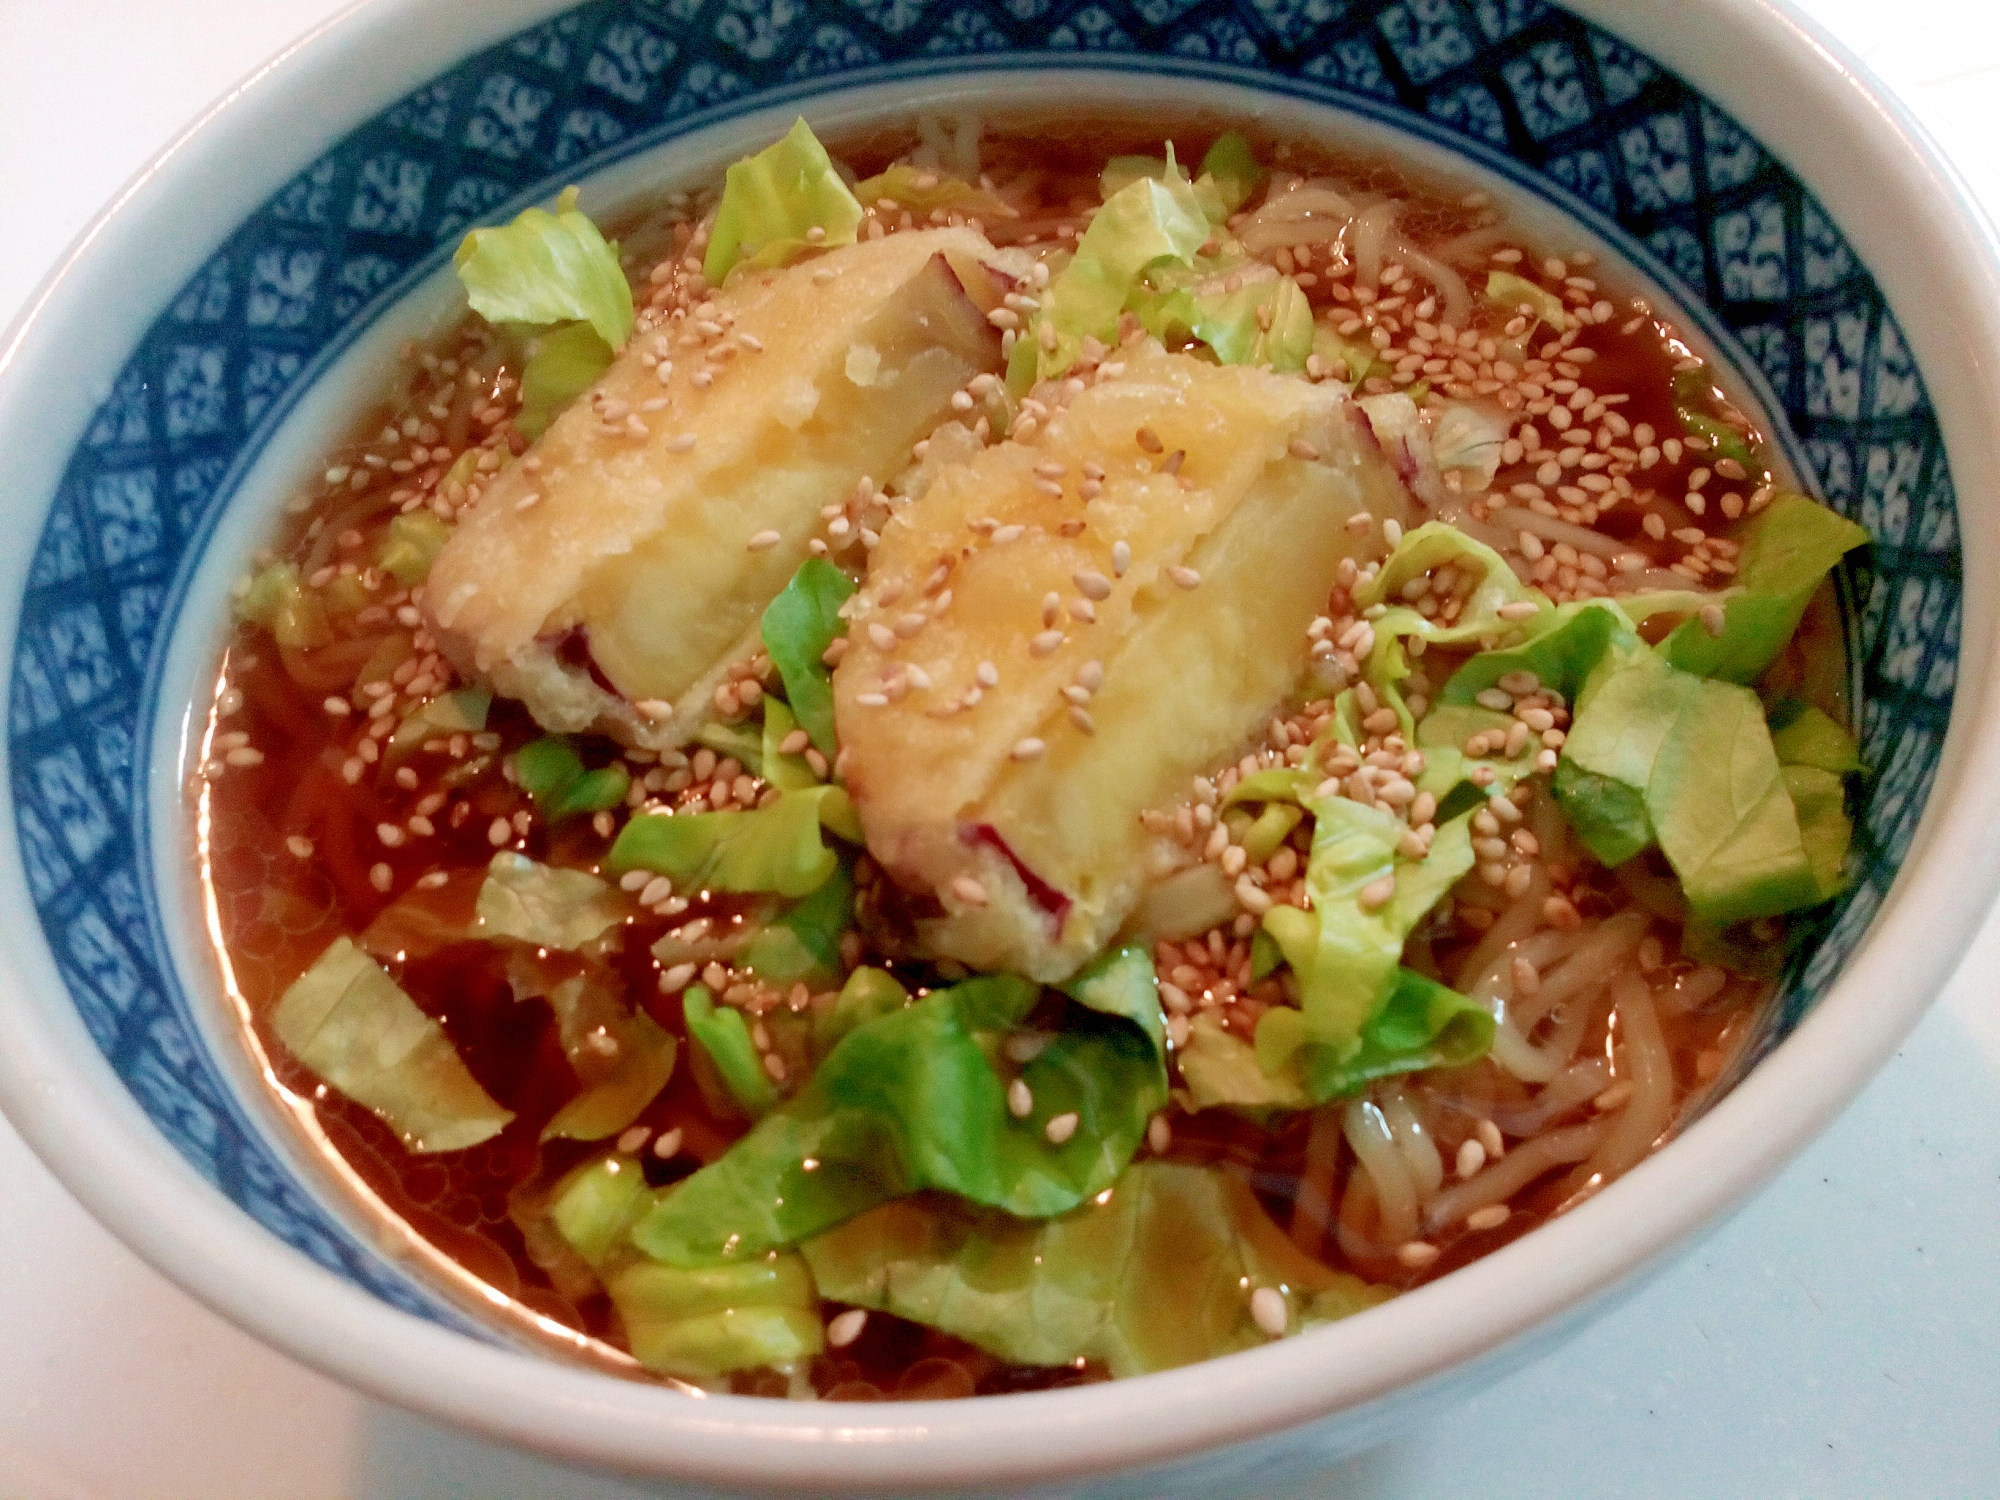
1525 87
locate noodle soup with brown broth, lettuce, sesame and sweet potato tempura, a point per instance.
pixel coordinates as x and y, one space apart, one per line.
859 789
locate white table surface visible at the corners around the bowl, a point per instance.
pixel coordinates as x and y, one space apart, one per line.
1839 1341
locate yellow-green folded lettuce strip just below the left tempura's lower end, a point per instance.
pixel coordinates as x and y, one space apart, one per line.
775 849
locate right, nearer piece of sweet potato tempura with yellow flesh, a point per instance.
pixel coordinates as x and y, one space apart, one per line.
1189 673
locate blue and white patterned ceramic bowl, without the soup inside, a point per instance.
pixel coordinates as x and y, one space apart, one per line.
189 359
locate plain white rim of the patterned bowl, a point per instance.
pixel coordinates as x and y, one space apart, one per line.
1935 259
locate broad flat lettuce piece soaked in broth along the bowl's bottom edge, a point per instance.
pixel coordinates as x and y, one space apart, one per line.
1153 1277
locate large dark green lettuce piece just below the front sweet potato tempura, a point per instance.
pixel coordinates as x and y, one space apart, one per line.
917 1099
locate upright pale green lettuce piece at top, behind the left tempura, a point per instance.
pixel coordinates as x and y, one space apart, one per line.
775 201
